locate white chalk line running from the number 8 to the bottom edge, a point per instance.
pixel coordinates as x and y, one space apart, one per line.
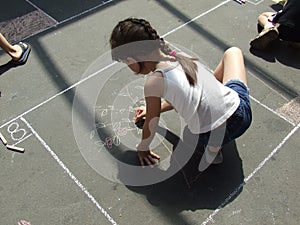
70 174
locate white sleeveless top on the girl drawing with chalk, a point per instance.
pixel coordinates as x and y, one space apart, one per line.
205 106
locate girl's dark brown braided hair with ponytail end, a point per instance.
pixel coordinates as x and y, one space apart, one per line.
133 30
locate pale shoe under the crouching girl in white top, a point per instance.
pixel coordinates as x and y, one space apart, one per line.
209 158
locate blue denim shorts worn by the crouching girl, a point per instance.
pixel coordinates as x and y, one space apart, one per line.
238 122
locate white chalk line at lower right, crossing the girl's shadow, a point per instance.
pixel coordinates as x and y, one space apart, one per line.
246 180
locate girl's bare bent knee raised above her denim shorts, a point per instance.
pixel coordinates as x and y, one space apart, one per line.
231 66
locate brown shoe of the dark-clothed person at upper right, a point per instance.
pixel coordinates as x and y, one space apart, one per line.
261 41
